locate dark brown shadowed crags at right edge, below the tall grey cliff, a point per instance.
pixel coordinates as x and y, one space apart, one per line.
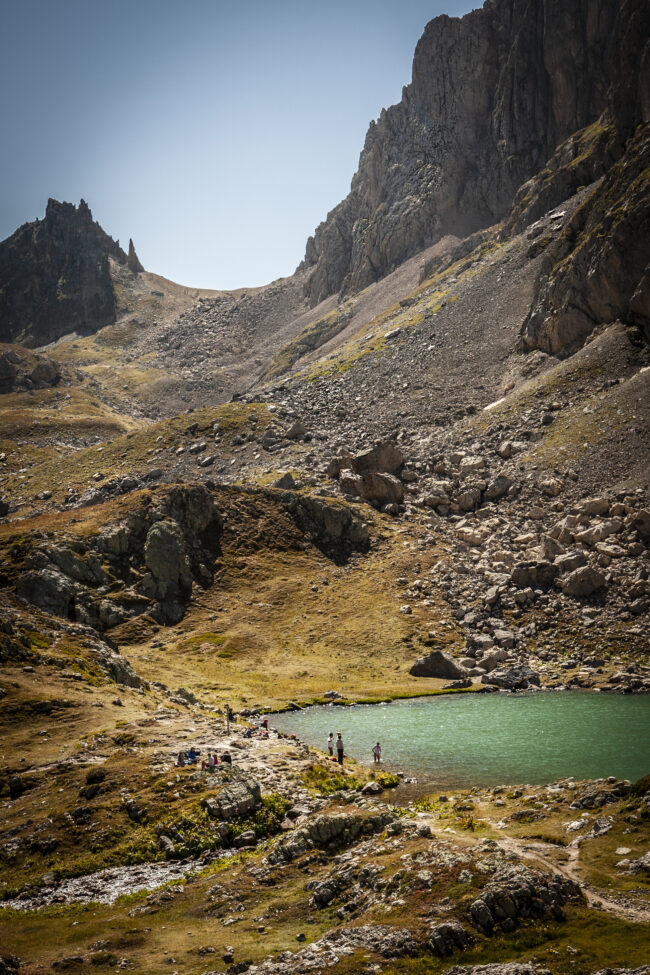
597 271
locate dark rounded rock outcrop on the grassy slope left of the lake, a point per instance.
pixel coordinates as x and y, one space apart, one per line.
146 563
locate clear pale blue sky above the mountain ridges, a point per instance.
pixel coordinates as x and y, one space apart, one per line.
216 134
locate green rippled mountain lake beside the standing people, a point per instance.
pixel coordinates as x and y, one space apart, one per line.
491 739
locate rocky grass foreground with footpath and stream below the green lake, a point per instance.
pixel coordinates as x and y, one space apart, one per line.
284 863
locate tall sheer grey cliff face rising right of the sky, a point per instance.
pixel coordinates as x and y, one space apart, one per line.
492 95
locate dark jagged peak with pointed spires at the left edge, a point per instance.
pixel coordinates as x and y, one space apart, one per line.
55 276
